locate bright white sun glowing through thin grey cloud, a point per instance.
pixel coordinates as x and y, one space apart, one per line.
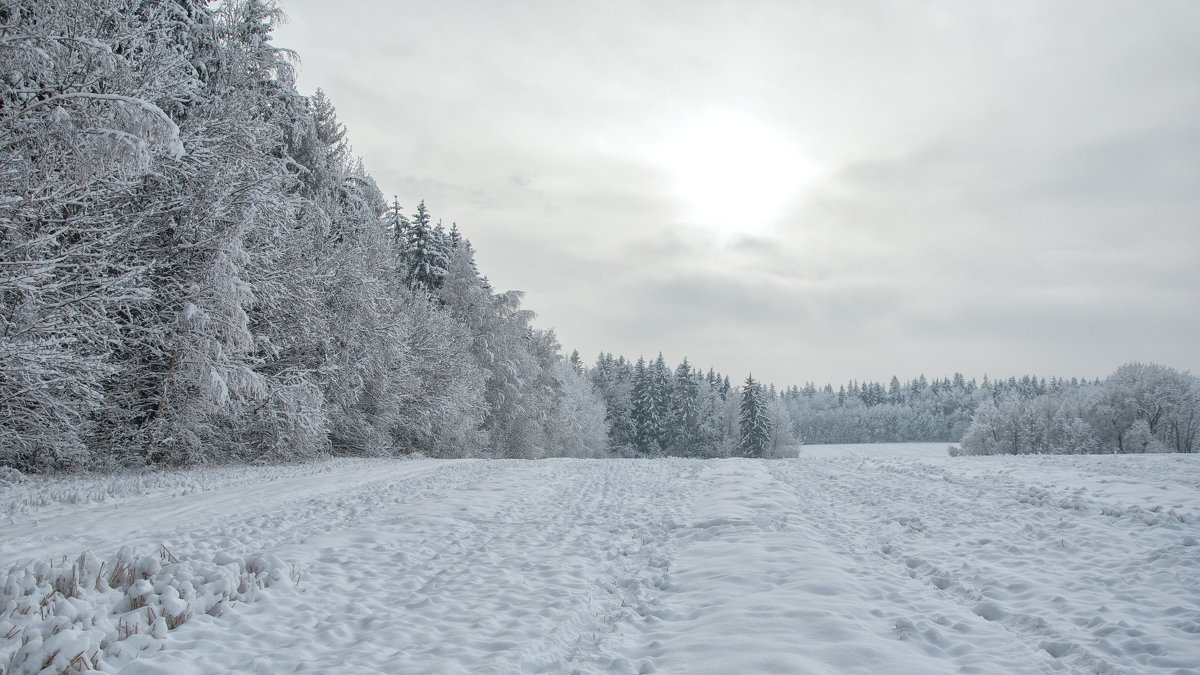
731 172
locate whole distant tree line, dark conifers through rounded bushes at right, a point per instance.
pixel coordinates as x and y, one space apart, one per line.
653 410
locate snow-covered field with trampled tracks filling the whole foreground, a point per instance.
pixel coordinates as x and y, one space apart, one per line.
848 559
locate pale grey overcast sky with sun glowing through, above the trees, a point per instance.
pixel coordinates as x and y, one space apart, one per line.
811 192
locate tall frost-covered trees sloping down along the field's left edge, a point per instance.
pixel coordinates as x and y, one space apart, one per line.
195 268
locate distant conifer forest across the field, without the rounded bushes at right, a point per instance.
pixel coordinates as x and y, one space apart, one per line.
655 410
